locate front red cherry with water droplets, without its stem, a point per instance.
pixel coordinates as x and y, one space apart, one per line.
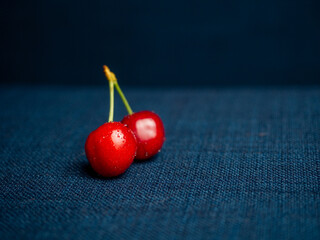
111 149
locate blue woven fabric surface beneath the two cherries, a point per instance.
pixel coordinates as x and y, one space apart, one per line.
236 164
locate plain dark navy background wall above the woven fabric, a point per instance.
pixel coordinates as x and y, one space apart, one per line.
164 42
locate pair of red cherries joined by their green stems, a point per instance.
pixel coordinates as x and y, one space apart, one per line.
112 147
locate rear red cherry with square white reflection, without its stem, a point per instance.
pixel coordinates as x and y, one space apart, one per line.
149 131
